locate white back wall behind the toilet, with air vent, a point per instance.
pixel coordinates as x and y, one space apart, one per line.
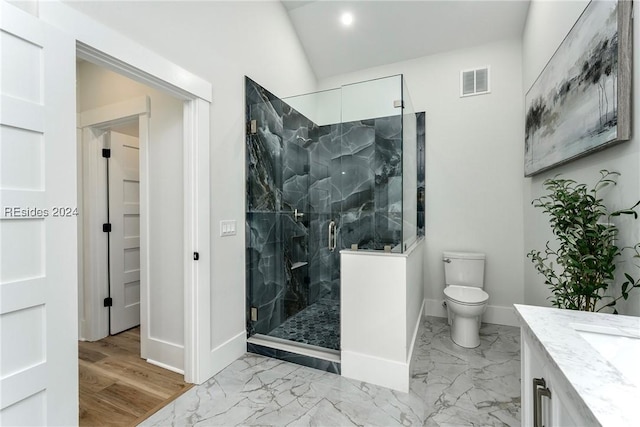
474 157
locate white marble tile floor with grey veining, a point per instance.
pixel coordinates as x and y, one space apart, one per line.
450 386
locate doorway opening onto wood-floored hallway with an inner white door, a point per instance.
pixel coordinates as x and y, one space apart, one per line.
131 244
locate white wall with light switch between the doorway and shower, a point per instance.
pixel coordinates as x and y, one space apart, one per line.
221 42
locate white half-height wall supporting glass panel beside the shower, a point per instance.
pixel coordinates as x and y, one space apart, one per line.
381 303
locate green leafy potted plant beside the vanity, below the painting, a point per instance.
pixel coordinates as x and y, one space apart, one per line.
587 256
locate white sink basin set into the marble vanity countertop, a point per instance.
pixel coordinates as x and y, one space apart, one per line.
618 346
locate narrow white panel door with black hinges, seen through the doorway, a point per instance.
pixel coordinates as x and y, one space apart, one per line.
124 239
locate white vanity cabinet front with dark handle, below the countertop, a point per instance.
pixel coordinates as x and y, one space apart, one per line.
545 401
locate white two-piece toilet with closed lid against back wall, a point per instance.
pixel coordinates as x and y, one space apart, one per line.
466 301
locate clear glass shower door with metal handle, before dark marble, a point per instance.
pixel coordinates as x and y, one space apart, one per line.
291 282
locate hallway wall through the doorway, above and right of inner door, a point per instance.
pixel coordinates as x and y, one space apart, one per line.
97 87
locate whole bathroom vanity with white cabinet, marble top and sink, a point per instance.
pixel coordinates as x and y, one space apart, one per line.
578 368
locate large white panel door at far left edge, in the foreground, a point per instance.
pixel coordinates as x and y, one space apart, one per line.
38 226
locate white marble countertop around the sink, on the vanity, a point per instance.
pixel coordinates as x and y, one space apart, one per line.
605 395
